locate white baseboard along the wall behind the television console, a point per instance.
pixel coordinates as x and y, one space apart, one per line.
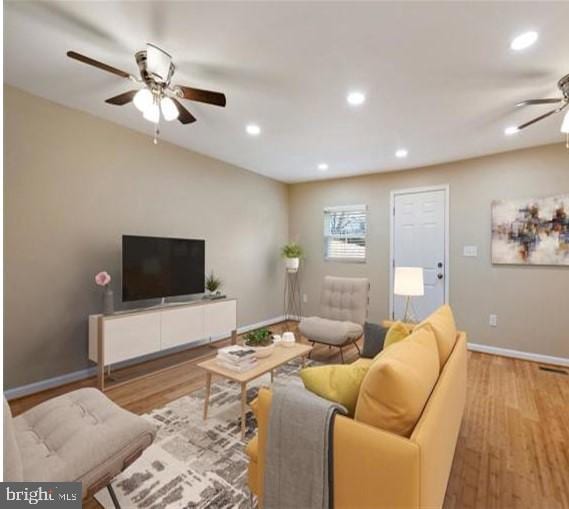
50 383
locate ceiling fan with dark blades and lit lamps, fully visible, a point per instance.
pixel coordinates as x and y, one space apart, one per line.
158 97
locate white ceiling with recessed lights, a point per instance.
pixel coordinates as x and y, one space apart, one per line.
440 77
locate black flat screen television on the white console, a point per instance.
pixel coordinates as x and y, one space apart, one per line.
157 267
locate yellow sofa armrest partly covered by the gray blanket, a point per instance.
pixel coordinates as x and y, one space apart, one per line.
372 468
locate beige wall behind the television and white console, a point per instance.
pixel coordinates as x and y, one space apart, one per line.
74 184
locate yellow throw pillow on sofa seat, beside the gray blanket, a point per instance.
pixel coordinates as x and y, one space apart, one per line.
339 383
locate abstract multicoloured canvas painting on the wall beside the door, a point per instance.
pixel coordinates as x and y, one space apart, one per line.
531 231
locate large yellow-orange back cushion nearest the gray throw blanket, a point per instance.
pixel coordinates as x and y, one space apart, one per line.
399 383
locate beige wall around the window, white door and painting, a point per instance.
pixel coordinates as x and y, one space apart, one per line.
531 302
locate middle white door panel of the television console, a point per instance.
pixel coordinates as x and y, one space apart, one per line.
180 326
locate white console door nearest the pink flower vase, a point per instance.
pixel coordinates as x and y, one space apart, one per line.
131 336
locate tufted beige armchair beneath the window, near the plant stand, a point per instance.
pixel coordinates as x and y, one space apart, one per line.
343 312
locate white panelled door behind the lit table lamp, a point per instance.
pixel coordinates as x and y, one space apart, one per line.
419 239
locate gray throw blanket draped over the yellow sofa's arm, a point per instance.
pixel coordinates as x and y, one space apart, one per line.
298 462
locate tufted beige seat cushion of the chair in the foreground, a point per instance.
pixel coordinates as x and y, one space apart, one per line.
80 436
